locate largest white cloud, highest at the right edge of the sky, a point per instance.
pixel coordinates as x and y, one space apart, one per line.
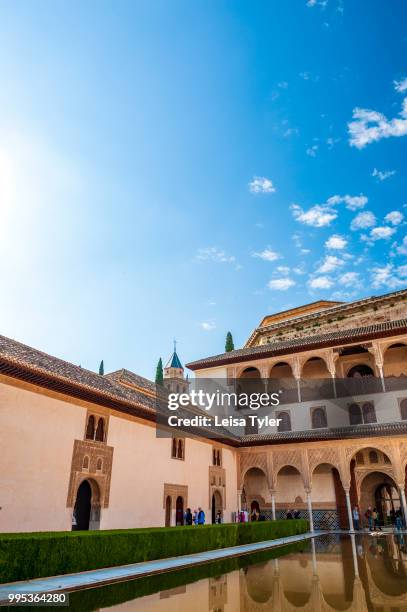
371 126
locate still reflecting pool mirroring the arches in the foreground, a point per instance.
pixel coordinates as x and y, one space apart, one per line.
331 572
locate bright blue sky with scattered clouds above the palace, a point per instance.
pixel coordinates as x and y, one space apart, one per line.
179 169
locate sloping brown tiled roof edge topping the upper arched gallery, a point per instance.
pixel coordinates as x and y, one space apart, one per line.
275 347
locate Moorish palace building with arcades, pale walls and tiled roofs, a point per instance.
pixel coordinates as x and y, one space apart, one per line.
81 449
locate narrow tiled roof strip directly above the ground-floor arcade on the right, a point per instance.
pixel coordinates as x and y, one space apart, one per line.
329 433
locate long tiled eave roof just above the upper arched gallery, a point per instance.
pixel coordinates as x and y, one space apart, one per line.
346 336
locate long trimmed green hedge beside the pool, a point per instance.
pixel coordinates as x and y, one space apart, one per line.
35 555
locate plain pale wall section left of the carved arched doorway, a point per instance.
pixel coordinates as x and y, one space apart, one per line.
36 439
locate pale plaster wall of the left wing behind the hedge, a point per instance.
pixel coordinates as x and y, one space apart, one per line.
37 434
